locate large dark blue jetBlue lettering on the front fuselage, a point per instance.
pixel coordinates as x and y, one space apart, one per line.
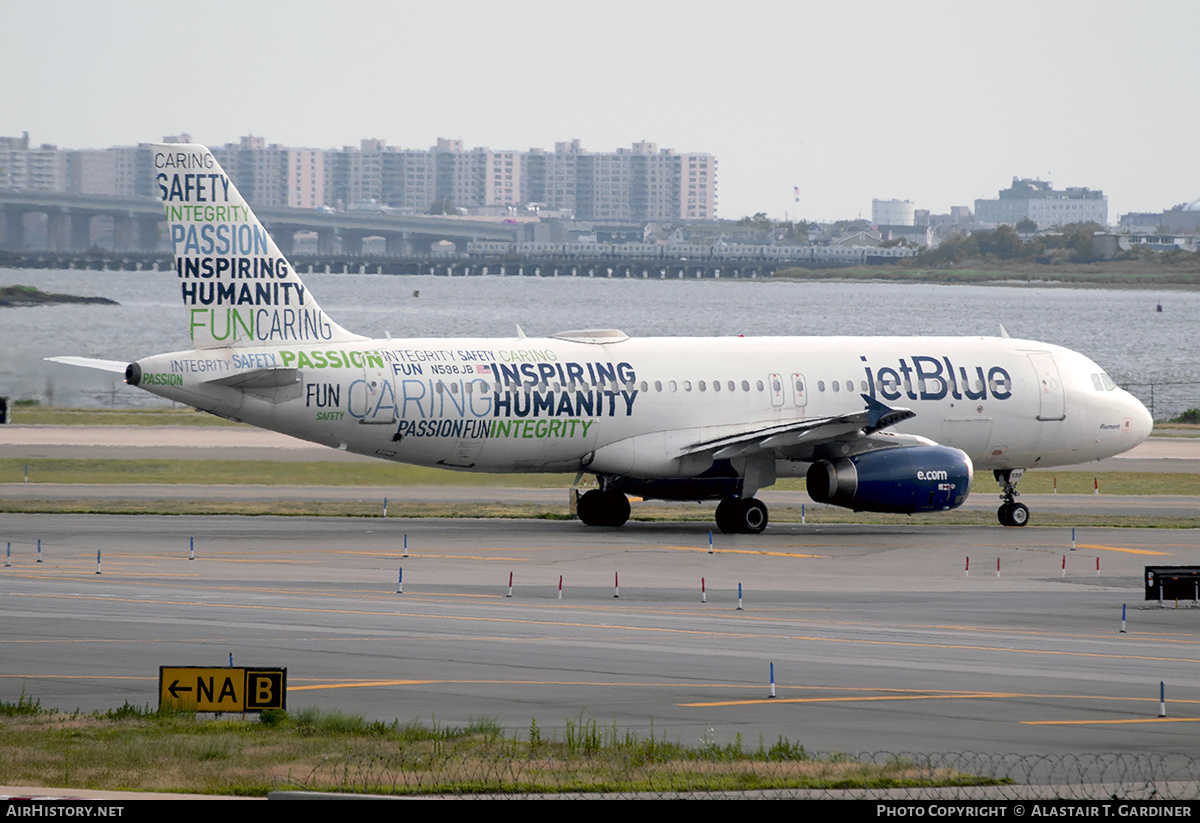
932 377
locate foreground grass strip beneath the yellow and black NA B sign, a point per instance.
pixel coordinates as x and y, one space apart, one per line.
135 749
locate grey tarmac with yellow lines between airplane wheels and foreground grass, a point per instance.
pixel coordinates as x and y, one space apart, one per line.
880 641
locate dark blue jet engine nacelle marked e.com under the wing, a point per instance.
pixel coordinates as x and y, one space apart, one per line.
903 480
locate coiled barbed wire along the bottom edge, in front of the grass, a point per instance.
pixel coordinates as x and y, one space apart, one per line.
837 776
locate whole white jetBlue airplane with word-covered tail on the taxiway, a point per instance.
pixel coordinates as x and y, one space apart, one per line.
875 424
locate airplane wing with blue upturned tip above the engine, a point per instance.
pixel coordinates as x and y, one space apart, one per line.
803 436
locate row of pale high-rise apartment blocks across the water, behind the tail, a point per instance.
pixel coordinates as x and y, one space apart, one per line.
643 183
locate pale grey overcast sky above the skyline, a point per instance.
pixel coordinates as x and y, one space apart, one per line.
928 101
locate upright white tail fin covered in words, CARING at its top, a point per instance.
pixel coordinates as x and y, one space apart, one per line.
237 286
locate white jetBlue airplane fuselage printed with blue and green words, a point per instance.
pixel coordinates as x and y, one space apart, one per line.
633 407
